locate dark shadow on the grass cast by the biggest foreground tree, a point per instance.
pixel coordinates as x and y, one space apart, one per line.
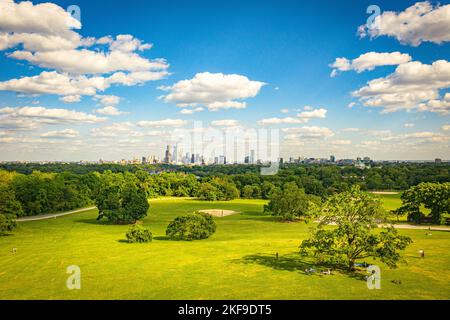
295 262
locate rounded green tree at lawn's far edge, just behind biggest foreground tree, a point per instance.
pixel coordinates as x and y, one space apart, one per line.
290 203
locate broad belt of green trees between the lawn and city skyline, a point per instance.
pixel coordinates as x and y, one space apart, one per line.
24 194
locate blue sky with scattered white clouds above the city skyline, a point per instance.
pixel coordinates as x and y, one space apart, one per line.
119 79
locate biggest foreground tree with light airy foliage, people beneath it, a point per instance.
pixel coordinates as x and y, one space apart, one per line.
355 215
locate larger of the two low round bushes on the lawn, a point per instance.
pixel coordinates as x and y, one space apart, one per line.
195 226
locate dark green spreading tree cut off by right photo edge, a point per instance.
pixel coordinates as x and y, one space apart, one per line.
433 196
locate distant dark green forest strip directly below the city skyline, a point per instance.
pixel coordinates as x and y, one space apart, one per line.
316 179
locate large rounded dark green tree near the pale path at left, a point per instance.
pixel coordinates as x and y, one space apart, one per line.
122 203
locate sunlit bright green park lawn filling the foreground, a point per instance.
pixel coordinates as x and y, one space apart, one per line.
237 262
